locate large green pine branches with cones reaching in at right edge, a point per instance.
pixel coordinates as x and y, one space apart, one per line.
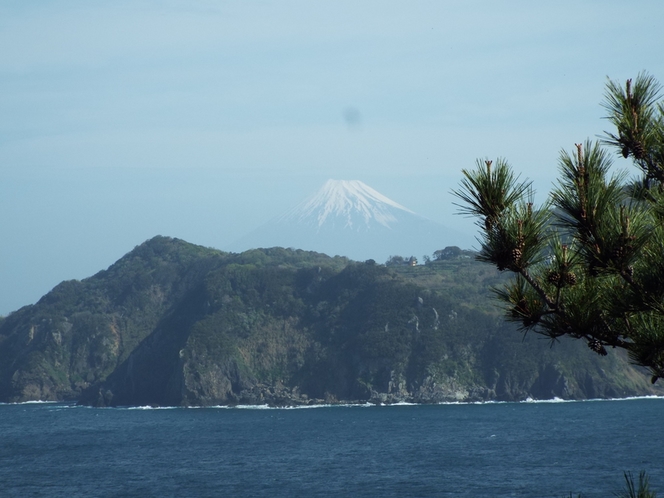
589 263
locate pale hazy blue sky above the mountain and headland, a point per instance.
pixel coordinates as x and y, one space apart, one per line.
203 119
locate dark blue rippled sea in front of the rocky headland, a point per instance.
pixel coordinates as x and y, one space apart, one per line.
461 450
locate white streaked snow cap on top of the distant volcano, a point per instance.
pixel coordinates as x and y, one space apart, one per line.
349 201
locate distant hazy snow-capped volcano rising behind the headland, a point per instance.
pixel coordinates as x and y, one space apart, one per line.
349 218
